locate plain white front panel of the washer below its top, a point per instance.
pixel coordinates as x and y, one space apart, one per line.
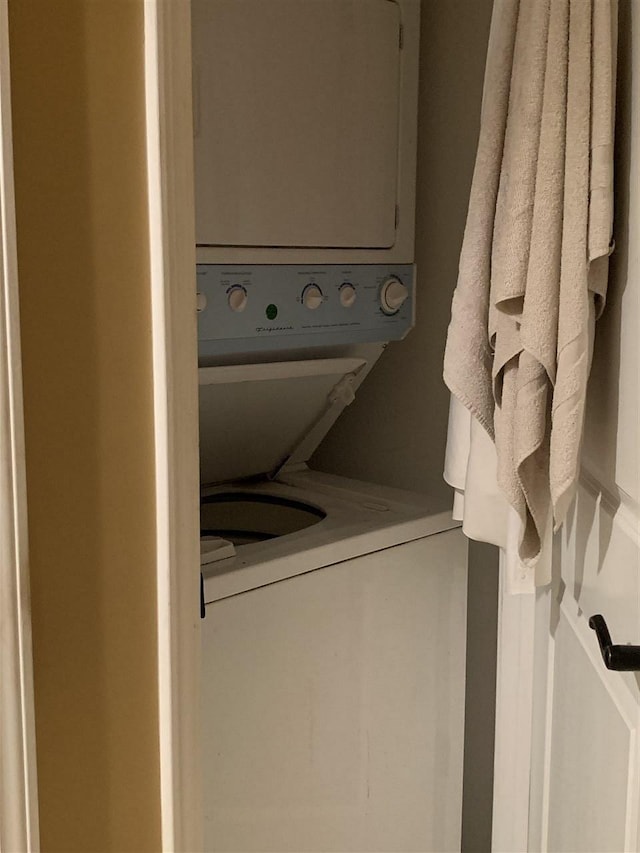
334 706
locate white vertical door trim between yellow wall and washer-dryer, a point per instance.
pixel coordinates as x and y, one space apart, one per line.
173 300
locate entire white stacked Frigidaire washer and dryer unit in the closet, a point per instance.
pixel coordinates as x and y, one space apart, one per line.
334 630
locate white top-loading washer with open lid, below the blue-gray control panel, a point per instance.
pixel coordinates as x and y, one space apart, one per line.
334 634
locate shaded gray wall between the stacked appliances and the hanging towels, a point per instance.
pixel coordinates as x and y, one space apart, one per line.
395 432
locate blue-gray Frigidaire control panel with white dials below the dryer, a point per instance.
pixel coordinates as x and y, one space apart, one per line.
249 308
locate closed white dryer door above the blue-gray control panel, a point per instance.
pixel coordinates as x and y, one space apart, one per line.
296 108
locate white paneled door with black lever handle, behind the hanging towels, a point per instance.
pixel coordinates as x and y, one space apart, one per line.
585 782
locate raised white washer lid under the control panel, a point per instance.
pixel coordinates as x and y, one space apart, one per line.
259 418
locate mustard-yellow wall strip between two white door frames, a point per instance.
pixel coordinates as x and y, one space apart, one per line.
78 106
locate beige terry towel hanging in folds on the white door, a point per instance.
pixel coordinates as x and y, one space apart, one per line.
533 266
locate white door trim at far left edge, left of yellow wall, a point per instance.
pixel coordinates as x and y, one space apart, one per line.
18 786
